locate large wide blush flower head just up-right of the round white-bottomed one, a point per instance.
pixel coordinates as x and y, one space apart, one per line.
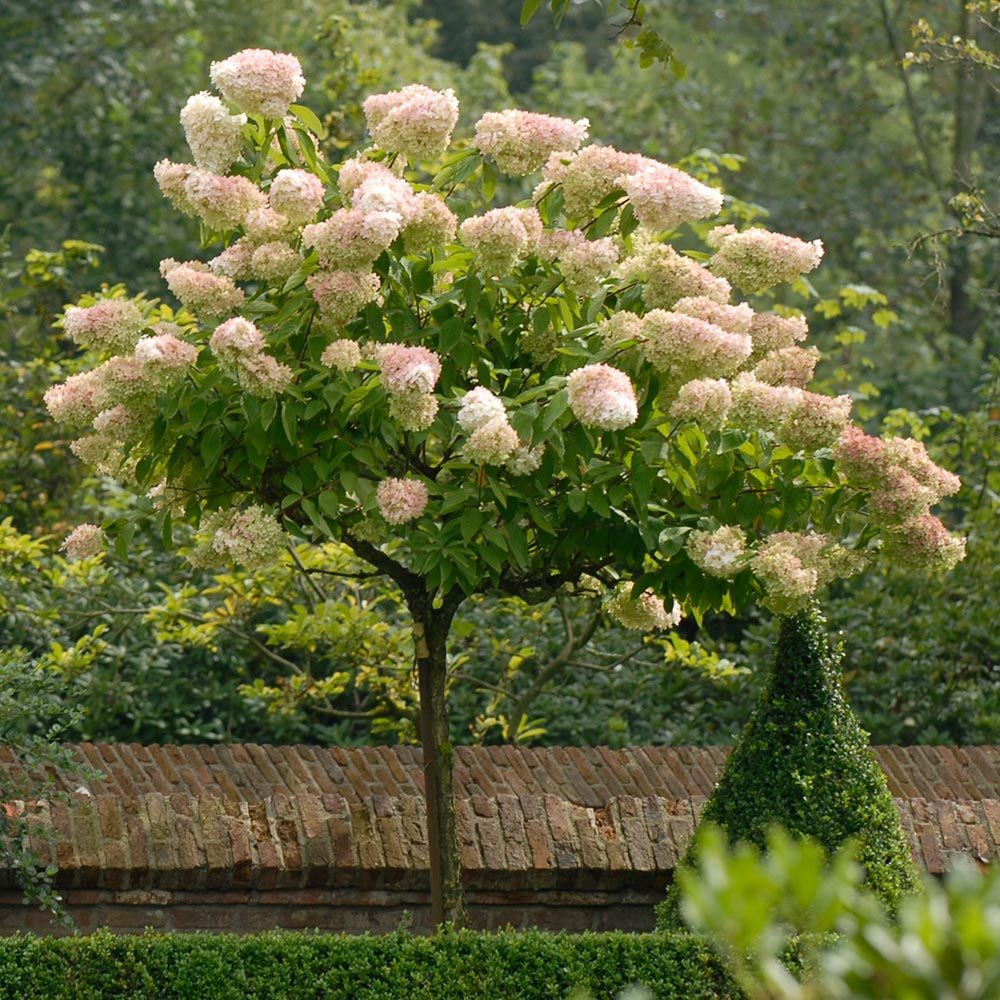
686 348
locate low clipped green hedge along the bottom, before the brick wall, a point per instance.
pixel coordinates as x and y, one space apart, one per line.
460 965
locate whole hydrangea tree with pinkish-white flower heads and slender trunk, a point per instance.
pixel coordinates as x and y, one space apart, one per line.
530 399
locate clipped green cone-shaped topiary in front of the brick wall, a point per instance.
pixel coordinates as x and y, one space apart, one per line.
804 762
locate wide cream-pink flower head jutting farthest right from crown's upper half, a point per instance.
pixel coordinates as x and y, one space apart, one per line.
757 259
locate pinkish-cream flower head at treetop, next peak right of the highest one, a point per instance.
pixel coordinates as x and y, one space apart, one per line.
415 122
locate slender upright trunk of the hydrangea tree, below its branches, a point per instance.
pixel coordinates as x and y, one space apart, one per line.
430 635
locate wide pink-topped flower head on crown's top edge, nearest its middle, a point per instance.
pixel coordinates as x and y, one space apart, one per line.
521 141
